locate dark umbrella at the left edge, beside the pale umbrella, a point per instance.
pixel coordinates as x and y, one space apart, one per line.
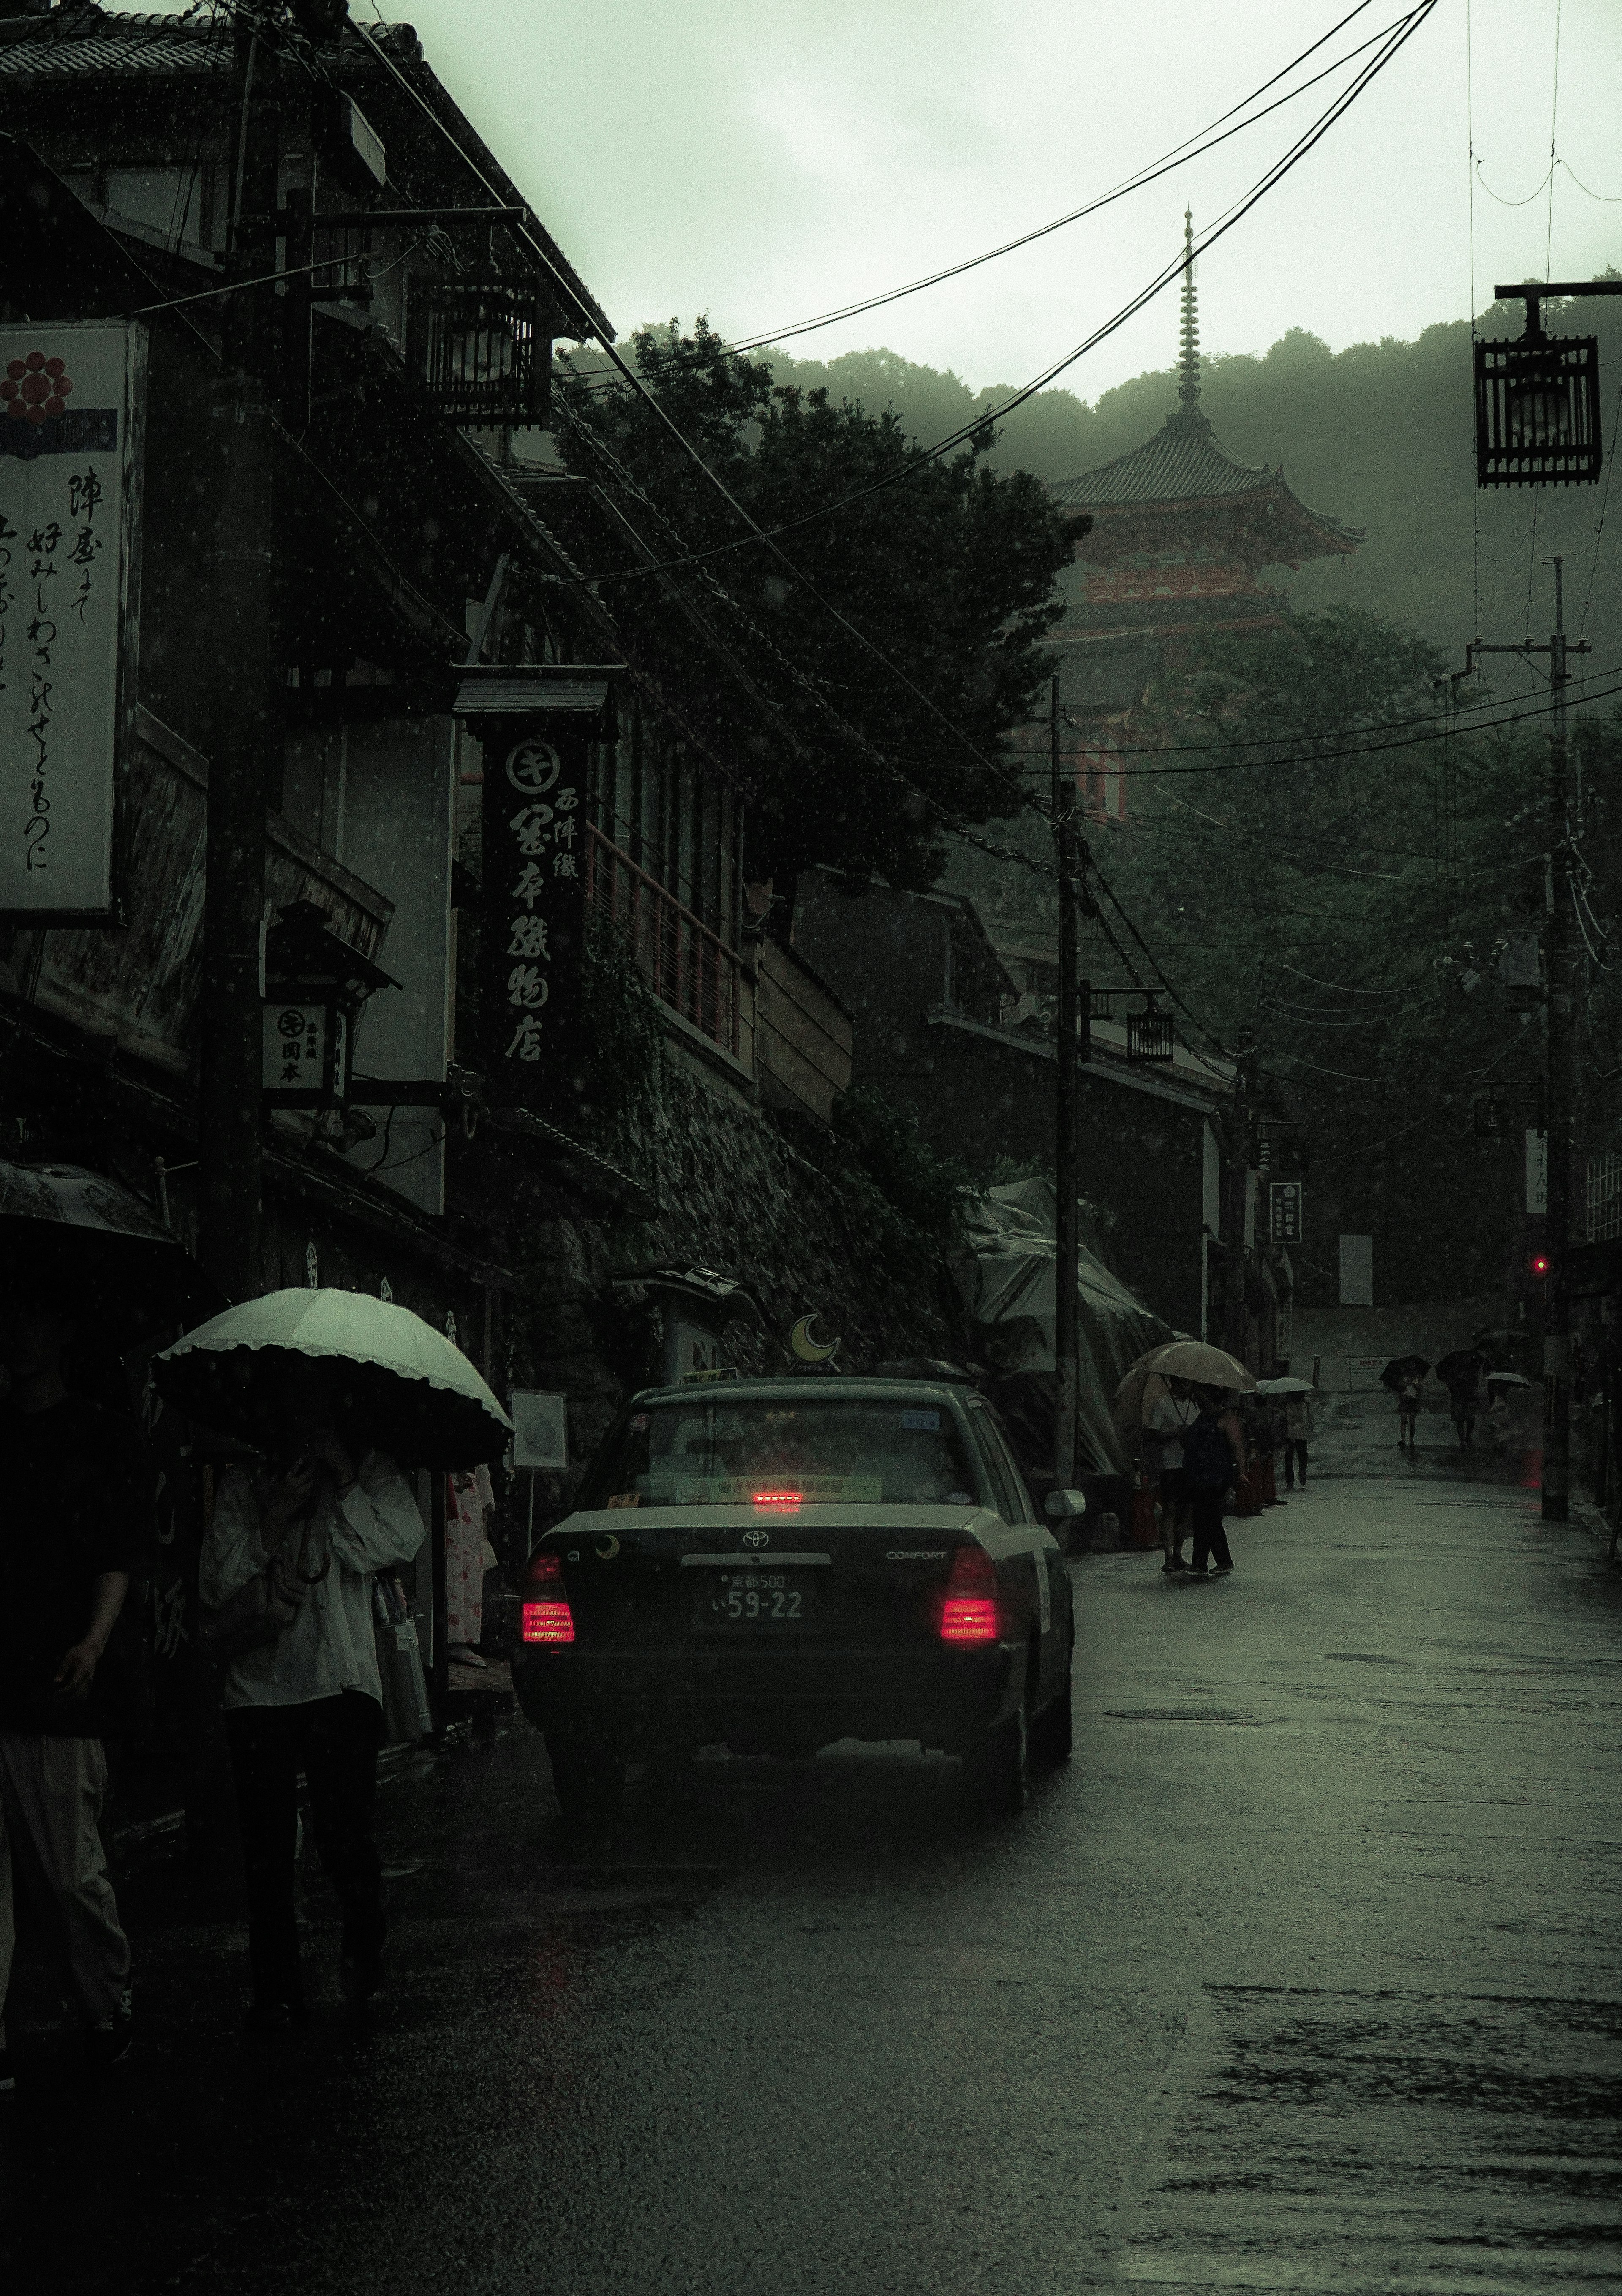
98 1248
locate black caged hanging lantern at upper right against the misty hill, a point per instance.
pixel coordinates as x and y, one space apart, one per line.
1538 403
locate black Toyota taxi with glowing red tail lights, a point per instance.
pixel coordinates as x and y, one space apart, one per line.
786 1562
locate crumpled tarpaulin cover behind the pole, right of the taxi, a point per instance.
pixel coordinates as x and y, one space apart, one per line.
1008 1280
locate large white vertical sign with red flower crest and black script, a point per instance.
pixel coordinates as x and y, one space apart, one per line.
70 403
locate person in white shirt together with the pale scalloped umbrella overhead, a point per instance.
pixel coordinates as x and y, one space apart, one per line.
334 1388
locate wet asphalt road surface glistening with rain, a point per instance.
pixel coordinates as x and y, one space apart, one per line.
1304 1976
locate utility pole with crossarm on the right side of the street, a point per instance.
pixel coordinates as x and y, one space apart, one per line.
1559 1078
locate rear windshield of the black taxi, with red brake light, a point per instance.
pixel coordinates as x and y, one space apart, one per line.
761 1455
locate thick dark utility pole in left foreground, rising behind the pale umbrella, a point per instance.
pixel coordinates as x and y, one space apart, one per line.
247 734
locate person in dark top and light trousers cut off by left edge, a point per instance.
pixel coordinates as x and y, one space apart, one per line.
75 1535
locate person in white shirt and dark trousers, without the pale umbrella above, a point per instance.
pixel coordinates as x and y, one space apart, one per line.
302 1542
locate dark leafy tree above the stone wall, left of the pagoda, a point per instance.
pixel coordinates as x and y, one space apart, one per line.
951 571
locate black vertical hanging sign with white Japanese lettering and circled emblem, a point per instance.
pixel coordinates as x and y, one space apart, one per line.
533 908
